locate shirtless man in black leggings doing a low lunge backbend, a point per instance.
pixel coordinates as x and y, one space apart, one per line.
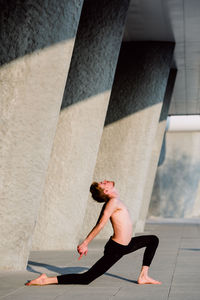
121 243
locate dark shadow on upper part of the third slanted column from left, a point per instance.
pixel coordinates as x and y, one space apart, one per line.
133 86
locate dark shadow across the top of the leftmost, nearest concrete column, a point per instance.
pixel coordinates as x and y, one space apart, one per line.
28 26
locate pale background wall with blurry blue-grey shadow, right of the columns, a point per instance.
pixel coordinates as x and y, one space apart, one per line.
176 187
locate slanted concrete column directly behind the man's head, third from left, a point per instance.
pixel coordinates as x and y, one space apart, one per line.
131 123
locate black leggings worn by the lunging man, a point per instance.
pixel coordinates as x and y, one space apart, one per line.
112 253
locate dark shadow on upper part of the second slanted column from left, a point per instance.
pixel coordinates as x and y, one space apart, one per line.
96 50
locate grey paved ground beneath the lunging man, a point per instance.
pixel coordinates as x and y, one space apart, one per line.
177 265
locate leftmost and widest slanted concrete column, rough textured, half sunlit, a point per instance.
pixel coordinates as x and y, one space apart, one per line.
37 39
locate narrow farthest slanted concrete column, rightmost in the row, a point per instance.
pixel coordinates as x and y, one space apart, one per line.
150 177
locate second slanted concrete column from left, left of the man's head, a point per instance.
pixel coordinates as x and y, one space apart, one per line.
80 124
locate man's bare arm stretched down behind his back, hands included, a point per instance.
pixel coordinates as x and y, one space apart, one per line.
105 214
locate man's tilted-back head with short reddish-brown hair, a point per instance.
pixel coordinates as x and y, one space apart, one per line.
101 191
